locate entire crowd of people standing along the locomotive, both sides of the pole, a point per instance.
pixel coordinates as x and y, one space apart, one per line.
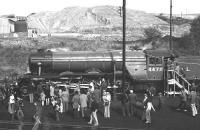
88 102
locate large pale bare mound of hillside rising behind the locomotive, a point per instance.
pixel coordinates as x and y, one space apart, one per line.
87 18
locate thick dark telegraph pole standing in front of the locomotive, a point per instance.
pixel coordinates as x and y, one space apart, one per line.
124 43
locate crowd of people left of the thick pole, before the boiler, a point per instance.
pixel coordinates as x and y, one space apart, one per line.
61 99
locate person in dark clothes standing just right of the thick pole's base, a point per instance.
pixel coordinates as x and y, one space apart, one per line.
133 99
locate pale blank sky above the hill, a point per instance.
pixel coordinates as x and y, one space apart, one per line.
25 7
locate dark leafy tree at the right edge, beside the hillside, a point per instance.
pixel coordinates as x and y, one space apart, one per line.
195 34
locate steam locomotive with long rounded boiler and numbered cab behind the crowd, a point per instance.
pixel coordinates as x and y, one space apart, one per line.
143 68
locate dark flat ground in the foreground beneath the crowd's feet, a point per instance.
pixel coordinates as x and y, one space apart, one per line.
168 118
